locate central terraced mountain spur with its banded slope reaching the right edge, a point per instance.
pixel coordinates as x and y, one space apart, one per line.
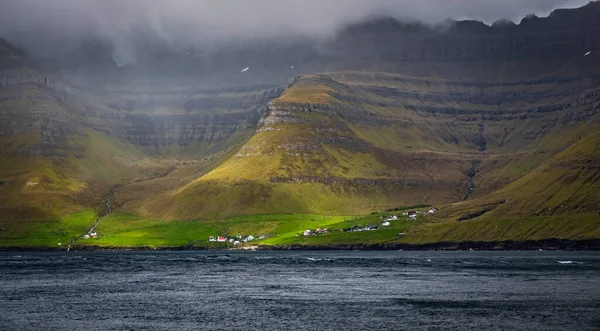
353 142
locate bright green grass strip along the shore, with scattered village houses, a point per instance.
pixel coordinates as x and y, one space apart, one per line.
120 230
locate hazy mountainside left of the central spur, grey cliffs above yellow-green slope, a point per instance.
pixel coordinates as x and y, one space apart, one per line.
65 149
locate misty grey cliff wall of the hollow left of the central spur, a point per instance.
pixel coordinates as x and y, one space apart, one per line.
180 121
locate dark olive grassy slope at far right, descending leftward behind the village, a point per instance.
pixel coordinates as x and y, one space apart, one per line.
566 184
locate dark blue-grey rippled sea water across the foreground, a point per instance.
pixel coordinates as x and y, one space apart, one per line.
300 291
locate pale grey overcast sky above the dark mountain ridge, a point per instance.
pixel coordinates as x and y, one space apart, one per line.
253 17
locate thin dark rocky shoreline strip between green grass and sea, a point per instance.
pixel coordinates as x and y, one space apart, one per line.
509 245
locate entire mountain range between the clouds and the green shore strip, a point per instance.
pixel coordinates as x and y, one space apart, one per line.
370 126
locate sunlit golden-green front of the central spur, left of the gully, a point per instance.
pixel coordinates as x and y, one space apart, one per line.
310 158
